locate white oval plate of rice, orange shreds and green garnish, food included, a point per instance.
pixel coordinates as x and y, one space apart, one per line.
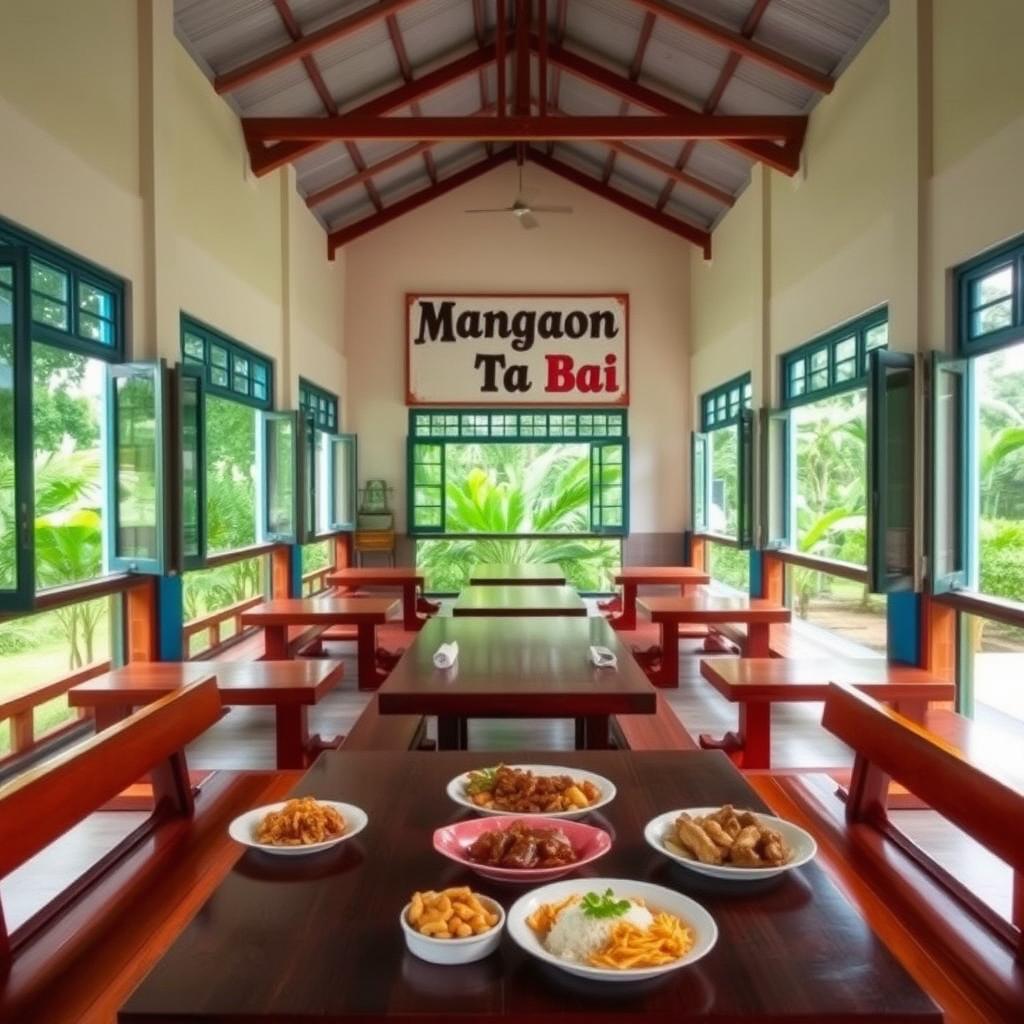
612 929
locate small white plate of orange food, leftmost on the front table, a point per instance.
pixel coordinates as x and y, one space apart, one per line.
295 828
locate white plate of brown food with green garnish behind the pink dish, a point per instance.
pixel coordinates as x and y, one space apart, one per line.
536 790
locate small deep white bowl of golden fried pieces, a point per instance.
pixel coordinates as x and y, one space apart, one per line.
452 926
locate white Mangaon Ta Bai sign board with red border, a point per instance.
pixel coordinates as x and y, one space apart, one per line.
518 350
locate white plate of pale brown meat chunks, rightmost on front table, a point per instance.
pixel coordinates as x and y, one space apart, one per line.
727 843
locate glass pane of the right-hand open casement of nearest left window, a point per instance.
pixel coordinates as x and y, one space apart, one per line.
138 516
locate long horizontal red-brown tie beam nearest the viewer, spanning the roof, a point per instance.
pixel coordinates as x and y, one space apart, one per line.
528 129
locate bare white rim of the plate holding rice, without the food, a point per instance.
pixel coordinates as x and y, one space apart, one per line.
658 899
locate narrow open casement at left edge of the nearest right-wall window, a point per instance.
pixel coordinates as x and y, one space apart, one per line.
948 557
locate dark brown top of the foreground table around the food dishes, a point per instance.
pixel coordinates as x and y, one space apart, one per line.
318 938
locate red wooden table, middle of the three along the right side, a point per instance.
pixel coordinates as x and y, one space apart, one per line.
671 613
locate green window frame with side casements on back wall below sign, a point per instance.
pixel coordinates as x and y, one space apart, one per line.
431 431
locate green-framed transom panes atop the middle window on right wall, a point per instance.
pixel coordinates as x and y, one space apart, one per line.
835 362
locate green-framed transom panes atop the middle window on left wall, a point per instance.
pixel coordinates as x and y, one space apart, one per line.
232 370
